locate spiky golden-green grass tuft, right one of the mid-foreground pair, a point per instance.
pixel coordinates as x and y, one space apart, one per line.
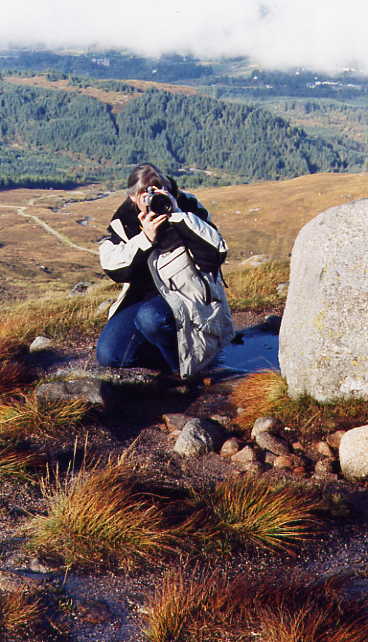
250 511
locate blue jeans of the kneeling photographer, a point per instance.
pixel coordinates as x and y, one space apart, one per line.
142 334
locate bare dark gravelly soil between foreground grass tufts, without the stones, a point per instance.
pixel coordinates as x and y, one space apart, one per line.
108 607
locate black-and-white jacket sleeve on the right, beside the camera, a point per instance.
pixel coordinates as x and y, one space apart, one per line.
200 235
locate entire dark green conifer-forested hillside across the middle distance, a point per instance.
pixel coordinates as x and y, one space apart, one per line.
64 137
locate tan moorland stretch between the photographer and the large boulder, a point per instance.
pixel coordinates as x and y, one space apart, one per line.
265 217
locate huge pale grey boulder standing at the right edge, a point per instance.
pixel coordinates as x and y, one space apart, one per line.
324 330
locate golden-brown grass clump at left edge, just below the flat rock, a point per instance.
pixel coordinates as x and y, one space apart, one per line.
29 416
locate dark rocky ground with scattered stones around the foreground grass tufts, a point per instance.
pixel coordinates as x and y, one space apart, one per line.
149 415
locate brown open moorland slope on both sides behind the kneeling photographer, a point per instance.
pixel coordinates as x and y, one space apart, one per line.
262 218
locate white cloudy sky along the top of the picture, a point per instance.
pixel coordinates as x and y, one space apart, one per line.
323 34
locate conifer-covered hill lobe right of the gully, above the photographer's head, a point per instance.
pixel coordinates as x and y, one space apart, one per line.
202 132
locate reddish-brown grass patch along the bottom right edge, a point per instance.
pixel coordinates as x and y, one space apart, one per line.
192 606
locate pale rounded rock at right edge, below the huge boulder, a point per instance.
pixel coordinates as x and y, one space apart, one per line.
353 453
